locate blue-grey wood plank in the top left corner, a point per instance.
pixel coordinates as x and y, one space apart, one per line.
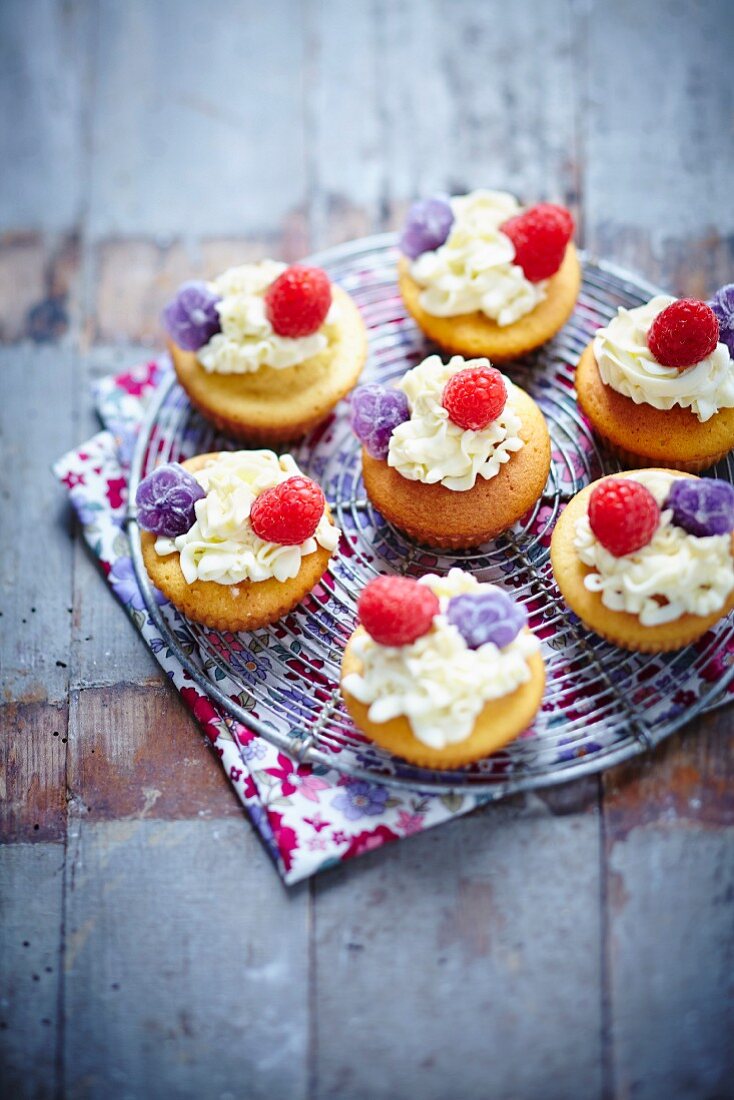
43 89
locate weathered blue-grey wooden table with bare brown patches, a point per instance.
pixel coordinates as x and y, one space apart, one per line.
575 944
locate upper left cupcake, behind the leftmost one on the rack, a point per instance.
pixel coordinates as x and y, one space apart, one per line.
266 351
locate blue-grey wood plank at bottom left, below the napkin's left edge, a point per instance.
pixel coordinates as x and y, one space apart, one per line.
185 964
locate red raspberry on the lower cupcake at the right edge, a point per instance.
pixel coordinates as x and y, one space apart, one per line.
623 515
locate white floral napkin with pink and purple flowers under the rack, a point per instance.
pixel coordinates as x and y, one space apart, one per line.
309 818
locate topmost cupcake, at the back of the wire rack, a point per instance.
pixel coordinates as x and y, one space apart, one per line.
485 277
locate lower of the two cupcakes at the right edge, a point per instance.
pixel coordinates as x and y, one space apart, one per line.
645 559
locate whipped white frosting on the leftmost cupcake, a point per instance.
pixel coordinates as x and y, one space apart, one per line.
222 546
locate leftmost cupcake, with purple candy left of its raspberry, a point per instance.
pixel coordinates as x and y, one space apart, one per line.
236 540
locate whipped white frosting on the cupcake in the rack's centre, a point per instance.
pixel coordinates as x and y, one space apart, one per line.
431 448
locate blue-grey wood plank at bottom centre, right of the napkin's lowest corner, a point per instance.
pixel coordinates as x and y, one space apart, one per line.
464 963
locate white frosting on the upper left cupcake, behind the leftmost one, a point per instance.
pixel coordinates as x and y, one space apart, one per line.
247 342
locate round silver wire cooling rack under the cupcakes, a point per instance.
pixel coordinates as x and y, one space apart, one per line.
602 705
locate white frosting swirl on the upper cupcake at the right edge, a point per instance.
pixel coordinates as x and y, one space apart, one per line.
629 367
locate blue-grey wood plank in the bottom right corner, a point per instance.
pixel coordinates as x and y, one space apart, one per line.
672 949
